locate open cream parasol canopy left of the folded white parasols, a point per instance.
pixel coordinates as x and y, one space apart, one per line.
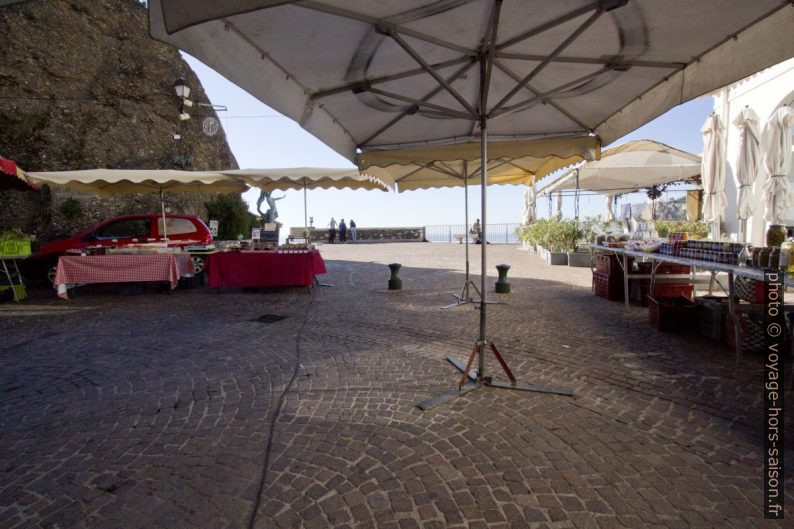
630 167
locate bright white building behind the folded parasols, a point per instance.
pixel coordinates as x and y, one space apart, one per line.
764 92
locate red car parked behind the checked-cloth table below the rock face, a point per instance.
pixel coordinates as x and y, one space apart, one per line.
186 232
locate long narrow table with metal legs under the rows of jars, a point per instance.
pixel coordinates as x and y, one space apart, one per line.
733 271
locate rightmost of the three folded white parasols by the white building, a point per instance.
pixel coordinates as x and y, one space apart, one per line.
776 146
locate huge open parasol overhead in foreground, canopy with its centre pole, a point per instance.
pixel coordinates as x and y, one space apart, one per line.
364 76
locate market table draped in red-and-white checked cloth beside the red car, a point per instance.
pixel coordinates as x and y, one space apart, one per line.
74 270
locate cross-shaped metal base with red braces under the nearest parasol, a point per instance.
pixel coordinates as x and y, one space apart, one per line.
471 381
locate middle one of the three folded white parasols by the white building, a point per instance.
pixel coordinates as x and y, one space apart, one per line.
748 160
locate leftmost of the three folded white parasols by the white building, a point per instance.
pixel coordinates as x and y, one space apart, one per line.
713 173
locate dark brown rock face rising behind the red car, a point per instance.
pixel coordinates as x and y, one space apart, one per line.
82 86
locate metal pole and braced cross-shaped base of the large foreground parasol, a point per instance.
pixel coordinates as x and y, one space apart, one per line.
480 379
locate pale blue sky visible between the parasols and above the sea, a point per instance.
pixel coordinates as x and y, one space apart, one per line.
260 137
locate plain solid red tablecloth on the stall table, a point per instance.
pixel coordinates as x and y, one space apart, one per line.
263 269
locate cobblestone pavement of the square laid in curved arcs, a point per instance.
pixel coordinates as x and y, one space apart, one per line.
192 410
